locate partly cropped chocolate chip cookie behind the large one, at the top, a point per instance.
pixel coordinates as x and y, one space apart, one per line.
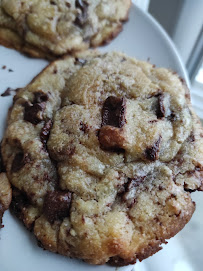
51 28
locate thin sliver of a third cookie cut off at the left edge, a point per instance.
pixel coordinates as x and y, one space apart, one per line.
5 192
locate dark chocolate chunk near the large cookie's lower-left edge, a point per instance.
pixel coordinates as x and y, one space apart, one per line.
57 205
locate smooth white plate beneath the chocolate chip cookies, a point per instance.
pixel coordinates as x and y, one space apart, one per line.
142 38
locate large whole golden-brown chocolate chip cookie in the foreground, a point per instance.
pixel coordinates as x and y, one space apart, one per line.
103 152
